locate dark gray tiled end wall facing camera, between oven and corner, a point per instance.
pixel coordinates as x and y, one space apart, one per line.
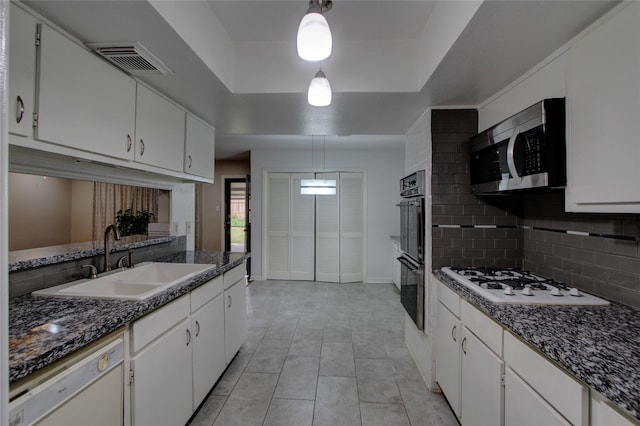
466 230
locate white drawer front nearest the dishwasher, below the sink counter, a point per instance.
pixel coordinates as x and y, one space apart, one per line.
151 326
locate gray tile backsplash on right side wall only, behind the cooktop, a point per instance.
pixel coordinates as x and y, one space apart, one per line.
602 262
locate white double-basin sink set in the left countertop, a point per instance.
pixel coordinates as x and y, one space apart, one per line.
139 283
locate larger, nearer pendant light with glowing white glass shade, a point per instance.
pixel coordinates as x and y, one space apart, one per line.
314 35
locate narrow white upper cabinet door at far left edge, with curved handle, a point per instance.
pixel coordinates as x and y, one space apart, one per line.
22 71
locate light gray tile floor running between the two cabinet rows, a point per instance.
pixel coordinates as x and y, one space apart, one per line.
323 354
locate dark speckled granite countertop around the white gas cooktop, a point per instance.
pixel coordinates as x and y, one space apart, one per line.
599 345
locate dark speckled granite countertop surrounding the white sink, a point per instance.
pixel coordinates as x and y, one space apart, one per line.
43 330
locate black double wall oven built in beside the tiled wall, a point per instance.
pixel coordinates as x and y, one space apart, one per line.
412 246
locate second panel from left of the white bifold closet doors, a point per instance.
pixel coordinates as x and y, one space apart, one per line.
302 230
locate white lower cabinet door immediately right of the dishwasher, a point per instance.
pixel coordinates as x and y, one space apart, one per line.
162 387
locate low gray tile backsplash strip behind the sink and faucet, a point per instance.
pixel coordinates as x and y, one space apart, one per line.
28 280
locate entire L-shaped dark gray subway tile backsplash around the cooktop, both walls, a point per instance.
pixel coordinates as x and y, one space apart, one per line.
598 253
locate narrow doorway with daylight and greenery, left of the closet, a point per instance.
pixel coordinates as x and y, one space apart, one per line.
237 226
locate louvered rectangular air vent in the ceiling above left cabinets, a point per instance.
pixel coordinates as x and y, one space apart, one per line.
131 57
